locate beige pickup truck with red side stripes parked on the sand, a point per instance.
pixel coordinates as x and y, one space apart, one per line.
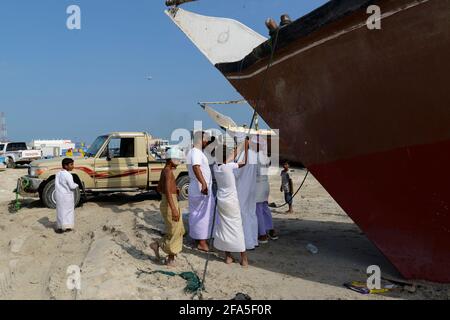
115 162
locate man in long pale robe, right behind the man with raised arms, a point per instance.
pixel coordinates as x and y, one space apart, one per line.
246 188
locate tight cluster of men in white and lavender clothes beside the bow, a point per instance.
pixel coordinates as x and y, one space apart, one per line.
242 186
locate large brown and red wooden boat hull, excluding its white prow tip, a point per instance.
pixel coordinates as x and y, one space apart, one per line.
368 111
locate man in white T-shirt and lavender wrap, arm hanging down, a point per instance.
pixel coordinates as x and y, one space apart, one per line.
201 198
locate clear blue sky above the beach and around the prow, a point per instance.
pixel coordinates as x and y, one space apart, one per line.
58 83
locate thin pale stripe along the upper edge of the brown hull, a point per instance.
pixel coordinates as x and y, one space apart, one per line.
320 42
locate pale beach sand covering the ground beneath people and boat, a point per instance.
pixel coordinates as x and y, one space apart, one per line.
111 247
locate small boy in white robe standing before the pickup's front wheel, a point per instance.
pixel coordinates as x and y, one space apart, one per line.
64 196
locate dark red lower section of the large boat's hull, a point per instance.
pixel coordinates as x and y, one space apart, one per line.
400 199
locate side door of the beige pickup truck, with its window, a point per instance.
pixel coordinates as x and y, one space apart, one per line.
118 166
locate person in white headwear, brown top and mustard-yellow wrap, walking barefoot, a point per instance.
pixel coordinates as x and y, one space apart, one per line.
172 243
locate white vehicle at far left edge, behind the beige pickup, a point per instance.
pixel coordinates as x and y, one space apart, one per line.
17 153
